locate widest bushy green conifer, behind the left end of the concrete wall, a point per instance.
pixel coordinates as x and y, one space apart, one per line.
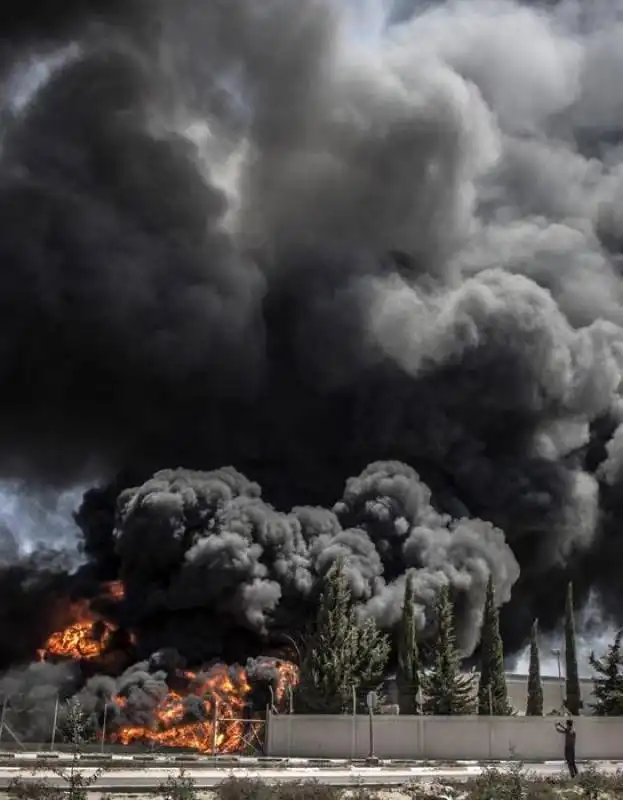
340 653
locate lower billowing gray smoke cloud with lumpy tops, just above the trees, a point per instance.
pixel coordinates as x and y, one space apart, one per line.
192 542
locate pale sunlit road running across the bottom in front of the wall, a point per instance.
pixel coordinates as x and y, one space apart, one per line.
147 778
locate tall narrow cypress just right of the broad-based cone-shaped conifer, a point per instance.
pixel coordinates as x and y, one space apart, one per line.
492 691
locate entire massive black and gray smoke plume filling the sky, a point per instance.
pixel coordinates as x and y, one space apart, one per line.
314 243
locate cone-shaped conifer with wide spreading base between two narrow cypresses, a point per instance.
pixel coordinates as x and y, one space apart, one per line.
448 692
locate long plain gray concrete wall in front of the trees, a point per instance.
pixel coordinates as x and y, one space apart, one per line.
437 738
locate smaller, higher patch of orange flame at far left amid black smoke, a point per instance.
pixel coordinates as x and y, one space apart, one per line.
88 636
